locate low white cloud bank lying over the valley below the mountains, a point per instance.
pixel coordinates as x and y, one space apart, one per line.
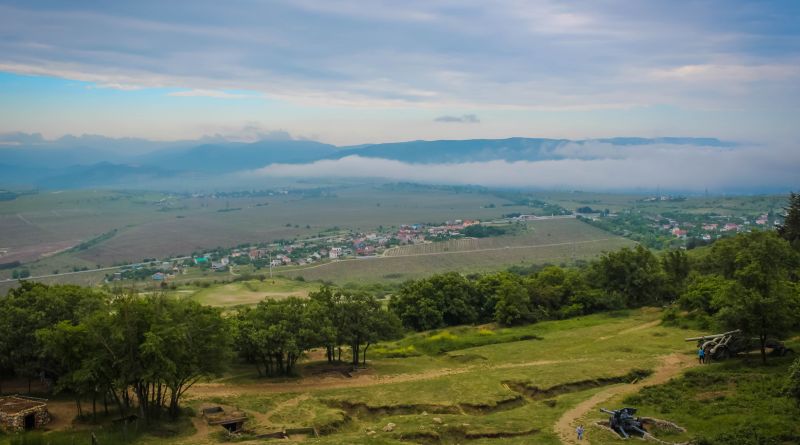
594 166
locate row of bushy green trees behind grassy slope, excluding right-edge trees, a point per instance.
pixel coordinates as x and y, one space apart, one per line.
627 278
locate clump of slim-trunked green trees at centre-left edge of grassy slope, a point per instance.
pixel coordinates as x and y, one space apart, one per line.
276 333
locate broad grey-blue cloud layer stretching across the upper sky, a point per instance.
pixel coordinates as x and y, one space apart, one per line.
541 54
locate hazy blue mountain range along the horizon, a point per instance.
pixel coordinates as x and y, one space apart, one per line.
95 161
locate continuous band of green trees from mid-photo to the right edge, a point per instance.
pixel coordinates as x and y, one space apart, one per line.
750 282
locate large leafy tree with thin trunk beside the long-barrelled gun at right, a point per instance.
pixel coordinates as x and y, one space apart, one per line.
761 301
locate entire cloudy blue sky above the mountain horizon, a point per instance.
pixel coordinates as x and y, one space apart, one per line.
349 72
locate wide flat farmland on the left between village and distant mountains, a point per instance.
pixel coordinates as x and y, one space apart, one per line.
44 229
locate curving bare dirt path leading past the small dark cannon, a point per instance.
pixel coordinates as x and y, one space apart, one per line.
671 366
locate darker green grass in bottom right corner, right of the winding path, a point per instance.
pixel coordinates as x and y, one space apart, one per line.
739 401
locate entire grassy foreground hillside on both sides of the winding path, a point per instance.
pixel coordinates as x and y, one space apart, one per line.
467 386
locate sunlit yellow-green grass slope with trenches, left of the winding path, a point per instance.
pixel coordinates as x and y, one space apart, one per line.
463 386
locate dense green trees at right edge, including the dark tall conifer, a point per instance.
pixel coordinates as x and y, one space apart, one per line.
749 282
